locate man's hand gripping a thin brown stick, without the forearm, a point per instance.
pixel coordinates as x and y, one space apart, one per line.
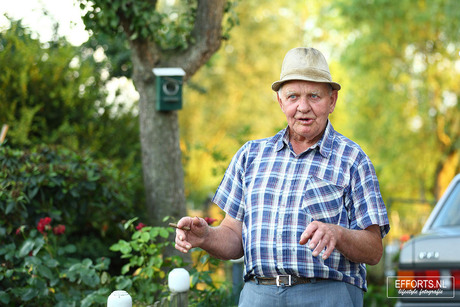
187 239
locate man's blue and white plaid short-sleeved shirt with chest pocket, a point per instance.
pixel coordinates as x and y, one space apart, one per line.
277 193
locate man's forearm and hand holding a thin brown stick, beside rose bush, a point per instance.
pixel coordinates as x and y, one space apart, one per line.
223 242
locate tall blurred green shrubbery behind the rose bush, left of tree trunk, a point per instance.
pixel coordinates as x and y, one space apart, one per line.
54 93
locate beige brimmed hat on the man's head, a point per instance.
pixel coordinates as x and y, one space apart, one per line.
306 64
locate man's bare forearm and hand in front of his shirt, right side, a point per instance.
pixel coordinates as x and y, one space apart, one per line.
363 246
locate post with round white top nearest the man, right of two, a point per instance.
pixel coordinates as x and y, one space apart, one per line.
179 284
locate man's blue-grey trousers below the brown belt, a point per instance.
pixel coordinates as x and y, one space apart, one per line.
323 293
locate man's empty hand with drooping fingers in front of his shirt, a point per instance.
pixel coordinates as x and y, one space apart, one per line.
322 236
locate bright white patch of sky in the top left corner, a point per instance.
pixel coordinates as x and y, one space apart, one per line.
65 12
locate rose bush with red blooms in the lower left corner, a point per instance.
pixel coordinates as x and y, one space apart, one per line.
61 234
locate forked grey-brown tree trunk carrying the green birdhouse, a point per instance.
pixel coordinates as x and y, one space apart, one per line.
159 131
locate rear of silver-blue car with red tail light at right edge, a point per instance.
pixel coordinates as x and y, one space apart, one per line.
429 263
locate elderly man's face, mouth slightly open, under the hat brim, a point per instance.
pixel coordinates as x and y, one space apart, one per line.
307 106
